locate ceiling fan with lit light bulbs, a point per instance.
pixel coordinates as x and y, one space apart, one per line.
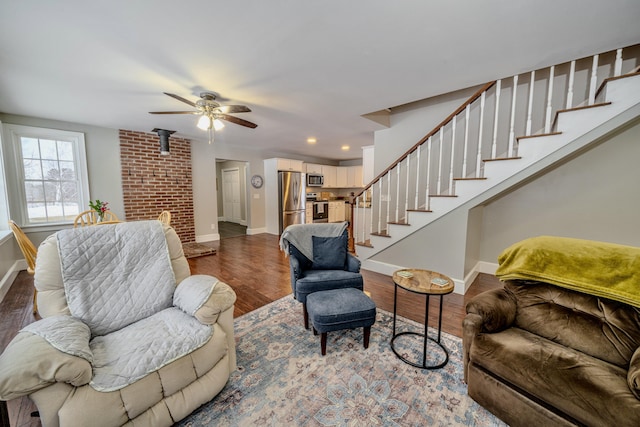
211 112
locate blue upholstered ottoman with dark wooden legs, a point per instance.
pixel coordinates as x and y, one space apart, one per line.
339 309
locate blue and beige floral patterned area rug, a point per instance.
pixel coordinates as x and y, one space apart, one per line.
282 380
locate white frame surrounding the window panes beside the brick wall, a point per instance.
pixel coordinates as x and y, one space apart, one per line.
15 172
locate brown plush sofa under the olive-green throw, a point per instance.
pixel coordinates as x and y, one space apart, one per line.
539 354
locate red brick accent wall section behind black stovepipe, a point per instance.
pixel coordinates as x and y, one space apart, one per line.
152 183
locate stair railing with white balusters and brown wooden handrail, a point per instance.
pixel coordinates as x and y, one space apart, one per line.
486 127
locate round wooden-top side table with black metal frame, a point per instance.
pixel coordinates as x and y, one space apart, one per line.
427 283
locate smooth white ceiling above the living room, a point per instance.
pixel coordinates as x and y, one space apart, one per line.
305 67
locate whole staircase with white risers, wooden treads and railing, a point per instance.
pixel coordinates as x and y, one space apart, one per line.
508 131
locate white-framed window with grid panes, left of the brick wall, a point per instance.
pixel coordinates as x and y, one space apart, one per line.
49 175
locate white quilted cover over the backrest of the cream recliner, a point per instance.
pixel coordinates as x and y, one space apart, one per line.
116 274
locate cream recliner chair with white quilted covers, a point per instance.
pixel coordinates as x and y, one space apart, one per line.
128 336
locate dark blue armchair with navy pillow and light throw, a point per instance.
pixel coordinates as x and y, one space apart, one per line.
328 266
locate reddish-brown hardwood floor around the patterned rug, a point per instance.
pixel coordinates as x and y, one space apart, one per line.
258 272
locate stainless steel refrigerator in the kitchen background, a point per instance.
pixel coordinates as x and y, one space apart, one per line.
292 198
